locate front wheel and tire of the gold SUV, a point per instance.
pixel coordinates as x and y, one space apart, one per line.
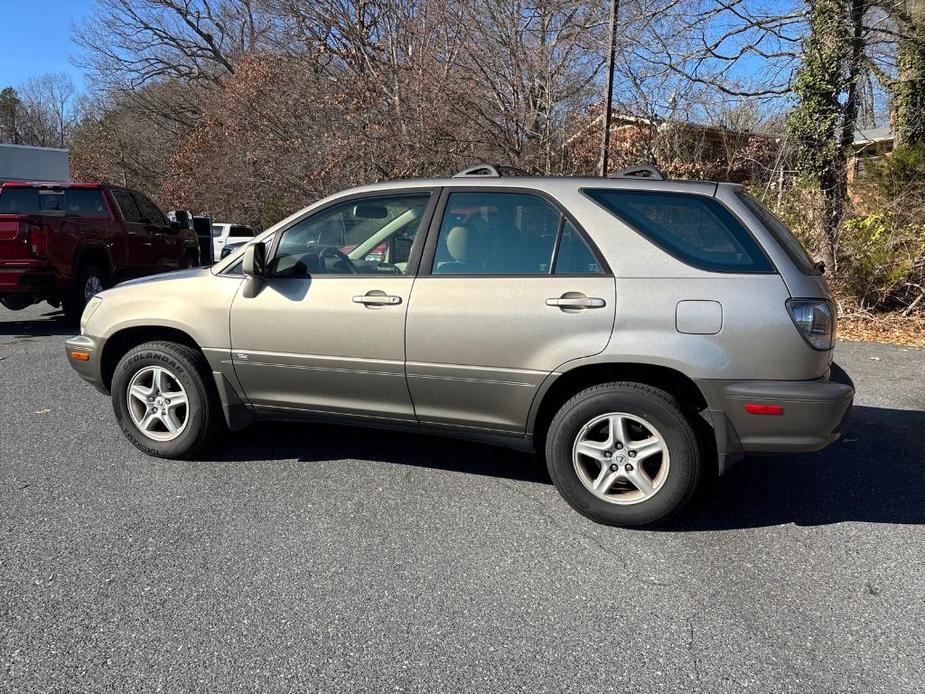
148 376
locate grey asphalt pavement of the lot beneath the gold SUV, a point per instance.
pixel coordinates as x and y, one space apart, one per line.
300 558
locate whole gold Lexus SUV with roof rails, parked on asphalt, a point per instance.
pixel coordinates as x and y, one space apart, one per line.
635 332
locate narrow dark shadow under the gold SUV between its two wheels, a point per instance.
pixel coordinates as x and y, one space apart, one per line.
328 442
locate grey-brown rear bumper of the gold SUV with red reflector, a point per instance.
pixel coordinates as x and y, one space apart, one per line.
812 414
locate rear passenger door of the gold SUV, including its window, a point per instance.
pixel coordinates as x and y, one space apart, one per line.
509 290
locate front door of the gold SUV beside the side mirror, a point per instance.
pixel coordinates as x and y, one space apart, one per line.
325 330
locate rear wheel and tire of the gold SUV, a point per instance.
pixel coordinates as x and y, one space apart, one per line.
598 474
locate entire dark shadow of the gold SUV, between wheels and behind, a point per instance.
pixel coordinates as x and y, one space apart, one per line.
875 473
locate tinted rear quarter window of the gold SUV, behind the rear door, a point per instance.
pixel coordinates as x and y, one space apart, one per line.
696 229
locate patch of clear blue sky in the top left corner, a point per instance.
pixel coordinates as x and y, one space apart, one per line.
37 38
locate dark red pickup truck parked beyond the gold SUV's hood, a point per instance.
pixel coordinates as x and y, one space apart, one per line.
63 243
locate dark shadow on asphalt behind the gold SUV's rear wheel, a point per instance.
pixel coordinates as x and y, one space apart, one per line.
875 473
